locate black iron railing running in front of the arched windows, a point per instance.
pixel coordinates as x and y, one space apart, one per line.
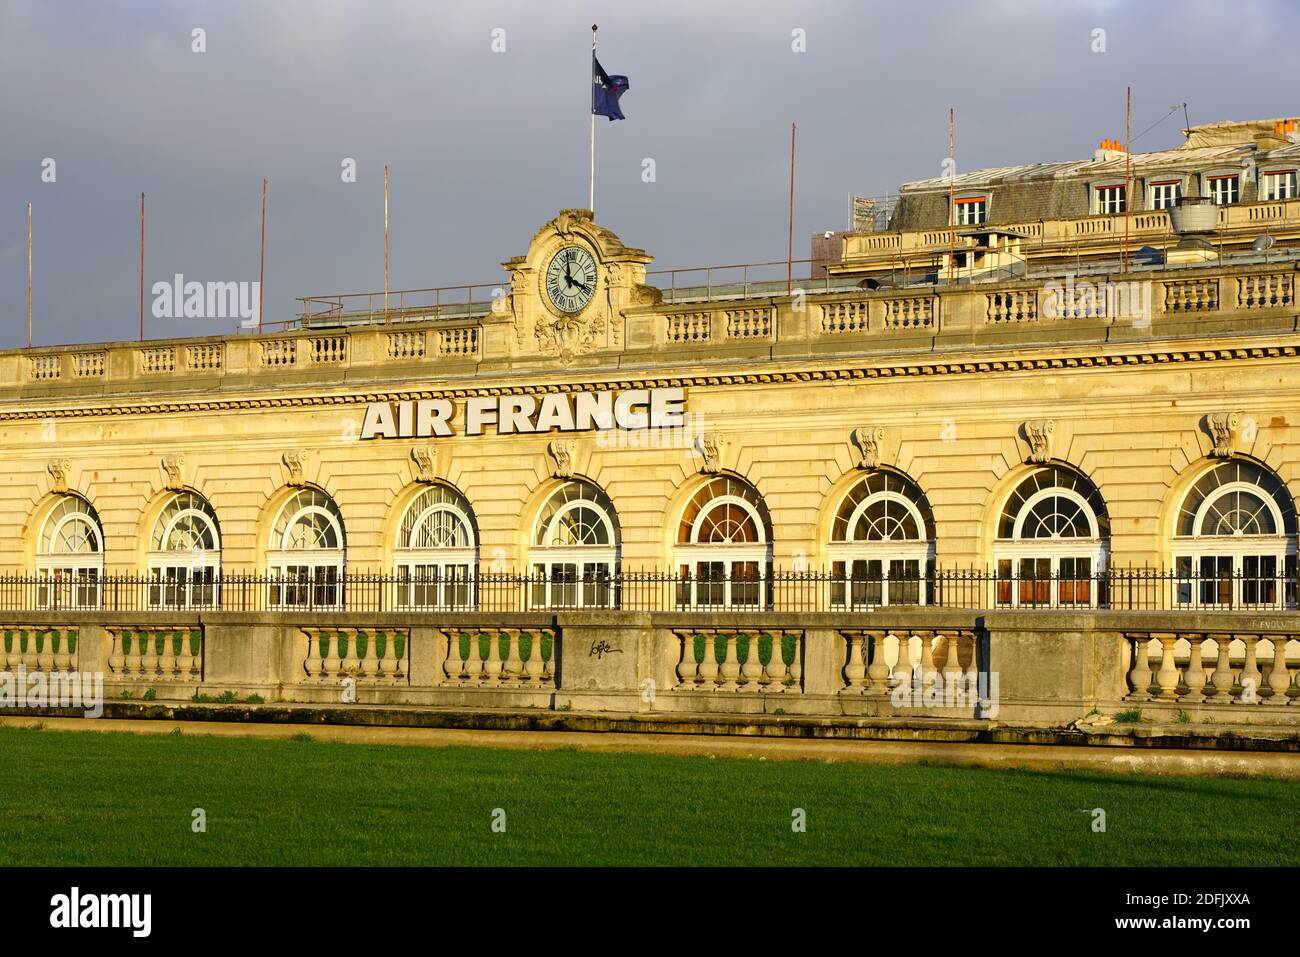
1129 590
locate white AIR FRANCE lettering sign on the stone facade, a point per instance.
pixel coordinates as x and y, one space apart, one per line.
631 410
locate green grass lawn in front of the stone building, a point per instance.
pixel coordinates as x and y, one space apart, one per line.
123 799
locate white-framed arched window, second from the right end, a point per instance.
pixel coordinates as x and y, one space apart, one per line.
1054 538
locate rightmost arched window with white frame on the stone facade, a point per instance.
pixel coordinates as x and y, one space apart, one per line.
1236 539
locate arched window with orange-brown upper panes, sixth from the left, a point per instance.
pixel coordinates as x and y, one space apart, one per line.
725 547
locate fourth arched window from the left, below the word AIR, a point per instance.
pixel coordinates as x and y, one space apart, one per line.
436 555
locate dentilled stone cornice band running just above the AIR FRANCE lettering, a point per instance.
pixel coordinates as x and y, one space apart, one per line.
965 367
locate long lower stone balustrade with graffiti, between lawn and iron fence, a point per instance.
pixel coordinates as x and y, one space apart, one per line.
1033 669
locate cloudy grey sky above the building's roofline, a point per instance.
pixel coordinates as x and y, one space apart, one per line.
487 146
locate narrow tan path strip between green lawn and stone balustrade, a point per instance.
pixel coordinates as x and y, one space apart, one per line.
1038 757
